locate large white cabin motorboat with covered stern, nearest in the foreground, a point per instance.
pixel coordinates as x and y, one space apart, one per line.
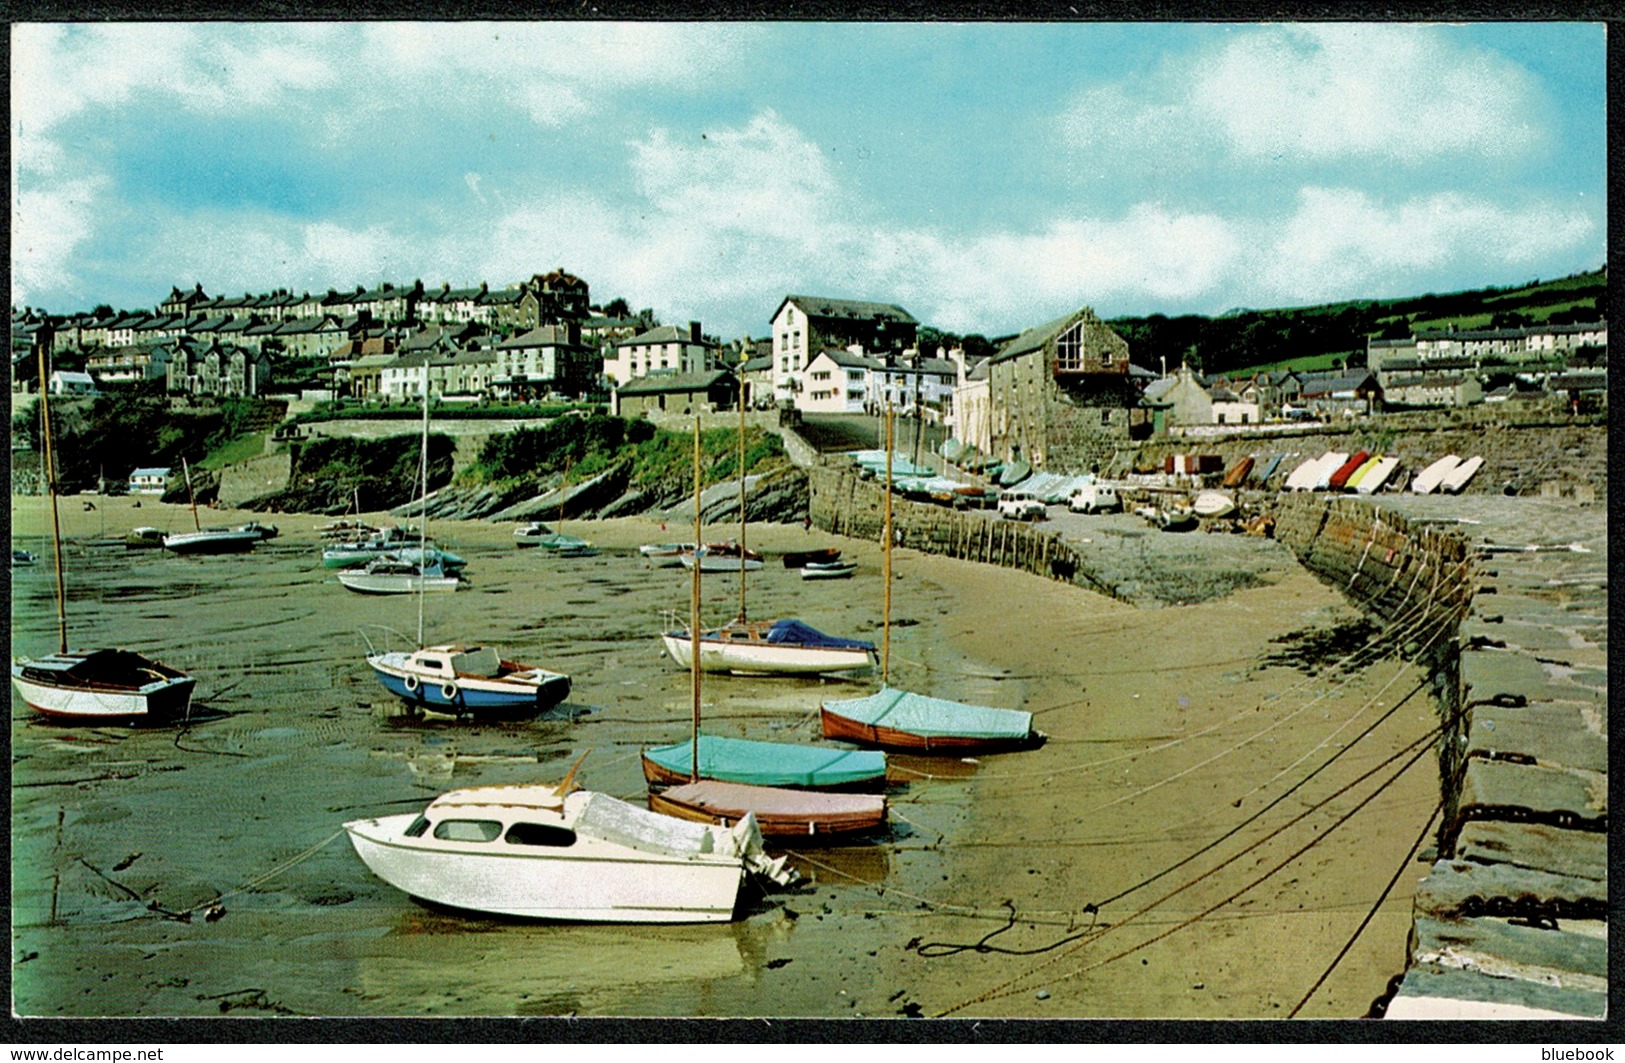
547 853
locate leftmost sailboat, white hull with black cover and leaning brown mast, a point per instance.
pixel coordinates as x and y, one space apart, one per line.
93 687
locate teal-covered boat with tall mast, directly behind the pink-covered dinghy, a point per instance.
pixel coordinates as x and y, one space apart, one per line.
735 760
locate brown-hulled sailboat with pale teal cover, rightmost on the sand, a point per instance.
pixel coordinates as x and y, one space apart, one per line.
912 722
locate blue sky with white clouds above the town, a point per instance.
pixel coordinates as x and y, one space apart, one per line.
984 176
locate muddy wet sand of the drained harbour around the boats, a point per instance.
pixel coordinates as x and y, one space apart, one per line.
1166 727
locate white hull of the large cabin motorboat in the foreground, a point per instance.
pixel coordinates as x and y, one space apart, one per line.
587 882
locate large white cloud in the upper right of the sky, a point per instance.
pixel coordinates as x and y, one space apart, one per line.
1315 93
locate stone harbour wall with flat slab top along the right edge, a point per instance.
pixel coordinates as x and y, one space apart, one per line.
1512 921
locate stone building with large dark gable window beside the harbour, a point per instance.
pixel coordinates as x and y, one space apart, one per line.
1060 396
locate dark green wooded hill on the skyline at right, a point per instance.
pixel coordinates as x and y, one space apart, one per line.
1317 337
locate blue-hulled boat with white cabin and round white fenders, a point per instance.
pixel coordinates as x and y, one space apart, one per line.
469 680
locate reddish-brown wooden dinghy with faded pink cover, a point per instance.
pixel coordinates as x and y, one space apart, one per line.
779 814
